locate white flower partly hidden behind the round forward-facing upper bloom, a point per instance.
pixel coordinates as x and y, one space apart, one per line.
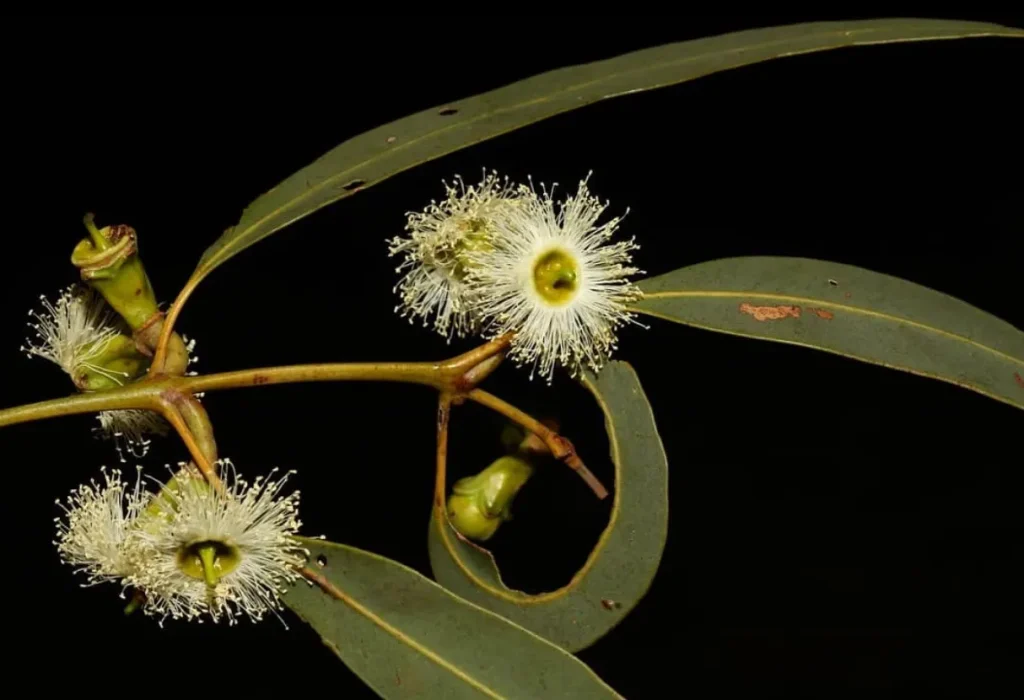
436 251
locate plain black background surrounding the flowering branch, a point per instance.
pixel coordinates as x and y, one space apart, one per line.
835 526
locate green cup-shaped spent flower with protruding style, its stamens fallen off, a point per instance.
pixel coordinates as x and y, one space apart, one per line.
109 261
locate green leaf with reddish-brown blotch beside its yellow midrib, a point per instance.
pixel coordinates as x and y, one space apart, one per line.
848 312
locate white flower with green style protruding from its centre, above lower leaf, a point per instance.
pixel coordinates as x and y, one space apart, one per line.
219 554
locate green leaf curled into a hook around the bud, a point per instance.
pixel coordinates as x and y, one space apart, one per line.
620 570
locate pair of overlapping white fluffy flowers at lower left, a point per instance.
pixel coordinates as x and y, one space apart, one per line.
188 550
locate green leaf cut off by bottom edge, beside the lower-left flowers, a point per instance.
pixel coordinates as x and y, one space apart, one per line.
409 638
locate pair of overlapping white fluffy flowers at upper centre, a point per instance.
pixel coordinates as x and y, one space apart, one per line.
497 258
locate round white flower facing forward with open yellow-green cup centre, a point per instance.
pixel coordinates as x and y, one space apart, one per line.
554 281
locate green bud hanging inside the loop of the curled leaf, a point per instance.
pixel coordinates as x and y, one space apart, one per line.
480 504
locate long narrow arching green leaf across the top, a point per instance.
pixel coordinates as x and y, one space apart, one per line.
387 151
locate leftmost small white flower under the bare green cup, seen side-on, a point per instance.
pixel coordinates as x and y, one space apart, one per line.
73 333
